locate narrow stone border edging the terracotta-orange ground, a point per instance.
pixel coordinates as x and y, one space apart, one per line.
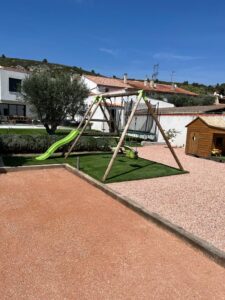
208 249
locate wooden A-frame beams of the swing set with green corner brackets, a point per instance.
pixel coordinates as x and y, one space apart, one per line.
99 101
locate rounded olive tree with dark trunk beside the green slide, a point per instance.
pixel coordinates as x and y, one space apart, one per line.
54 96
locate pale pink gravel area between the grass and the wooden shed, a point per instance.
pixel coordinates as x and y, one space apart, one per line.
194 201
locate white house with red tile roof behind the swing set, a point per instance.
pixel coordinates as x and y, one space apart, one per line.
121 89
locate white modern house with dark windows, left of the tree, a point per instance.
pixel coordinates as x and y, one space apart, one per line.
11 102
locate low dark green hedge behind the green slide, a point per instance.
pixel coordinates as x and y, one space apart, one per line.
22 144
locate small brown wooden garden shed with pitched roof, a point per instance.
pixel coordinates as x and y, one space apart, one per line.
205 134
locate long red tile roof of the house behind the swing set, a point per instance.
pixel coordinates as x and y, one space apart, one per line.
138 84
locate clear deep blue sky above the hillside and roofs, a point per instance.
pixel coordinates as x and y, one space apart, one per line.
114 37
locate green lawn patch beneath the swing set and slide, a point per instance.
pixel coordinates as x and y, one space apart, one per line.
124 169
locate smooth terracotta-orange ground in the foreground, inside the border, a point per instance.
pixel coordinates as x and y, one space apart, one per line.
62 238
